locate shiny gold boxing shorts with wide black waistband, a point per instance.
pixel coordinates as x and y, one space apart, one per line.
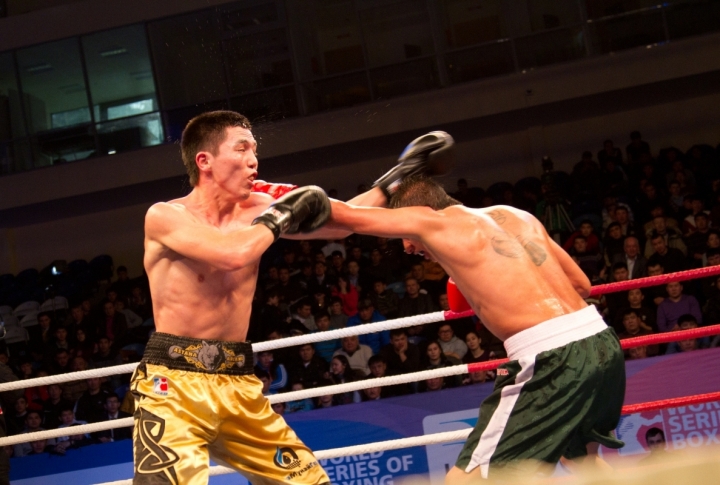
198 399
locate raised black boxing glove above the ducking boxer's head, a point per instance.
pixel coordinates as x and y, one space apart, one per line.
431 154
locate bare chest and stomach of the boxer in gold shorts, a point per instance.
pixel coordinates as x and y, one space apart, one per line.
192 298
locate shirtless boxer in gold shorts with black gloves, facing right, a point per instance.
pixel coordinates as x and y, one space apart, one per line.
195 390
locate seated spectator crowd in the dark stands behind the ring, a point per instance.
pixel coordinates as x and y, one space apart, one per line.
621 215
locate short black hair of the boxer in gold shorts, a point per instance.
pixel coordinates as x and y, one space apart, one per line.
207 132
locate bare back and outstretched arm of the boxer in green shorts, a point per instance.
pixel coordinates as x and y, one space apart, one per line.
502 259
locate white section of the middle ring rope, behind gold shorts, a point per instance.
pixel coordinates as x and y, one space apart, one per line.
275 398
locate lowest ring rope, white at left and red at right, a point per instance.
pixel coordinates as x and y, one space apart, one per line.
450 436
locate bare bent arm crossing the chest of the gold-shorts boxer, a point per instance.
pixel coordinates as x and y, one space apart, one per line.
175 228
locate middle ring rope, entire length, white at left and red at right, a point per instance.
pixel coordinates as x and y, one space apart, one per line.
367 383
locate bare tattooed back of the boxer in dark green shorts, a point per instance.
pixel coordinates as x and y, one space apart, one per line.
507 267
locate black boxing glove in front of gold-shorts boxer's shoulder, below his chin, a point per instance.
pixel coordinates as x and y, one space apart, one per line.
300 211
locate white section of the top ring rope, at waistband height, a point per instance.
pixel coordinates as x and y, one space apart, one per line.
257 347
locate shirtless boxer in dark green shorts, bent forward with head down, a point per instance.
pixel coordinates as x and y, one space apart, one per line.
565 383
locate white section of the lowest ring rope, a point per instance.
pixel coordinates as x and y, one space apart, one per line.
430 439
